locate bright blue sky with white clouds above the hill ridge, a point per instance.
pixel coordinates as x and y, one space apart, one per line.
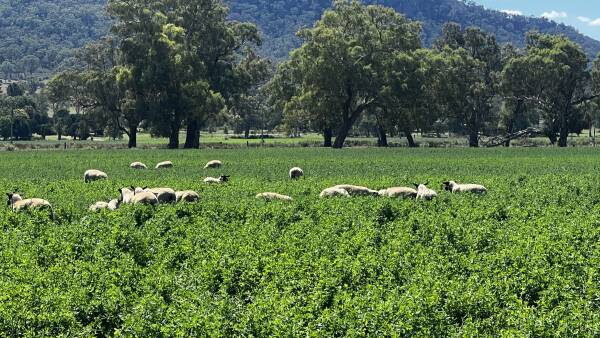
581 14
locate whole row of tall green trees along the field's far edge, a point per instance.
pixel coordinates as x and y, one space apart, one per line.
186 65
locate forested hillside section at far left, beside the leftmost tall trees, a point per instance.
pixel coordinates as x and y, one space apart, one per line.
39 36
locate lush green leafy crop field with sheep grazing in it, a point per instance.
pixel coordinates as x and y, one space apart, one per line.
524 260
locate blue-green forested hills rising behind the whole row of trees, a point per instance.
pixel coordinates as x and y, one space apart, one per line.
39 36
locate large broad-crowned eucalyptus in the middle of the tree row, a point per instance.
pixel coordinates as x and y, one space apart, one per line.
341 66
